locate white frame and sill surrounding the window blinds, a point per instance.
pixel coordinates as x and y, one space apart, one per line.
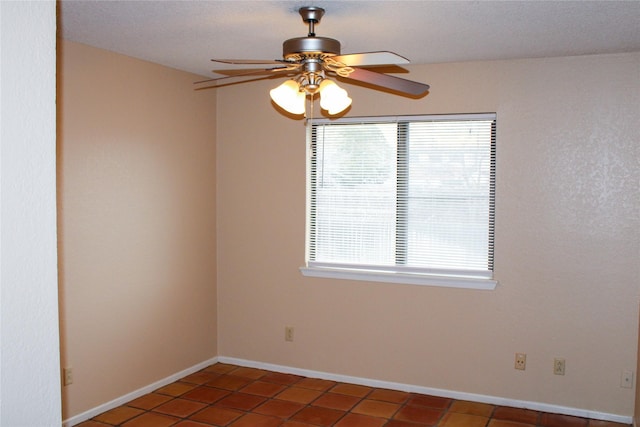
397 274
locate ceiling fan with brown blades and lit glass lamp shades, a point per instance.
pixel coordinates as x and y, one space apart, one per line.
311 60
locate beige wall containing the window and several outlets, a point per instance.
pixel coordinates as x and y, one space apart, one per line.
567 241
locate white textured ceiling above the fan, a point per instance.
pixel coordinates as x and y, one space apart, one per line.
186 34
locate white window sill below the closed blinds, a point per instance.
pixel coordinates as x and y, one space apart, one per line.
405 278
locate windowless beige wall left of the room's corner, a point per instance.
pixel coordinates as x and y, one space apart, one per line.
137 236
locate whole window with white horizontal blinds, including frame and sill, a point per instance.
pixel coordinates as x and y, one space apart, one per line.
404 199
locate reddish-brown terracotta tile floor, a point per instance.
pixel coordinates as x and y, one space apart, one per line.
229 395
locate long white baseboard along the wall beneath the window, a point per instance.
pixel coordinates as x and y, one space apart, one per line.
494 400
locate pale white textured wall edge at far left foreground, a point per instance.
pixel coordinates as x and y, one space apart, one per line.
29 344
